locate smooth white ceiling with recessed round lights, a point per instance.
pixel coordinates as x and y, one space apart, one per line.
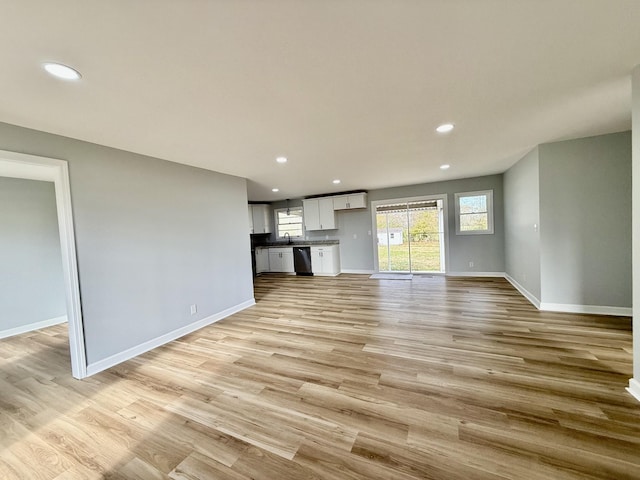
349 89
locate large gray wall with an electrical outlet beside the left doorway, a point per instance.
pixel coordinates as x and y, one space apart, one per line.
152 238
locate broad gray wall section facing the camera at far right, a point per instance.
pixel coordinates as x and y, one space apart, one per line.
585 218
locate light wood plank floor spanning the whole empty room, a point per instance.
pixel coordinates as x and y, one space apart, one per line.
337 378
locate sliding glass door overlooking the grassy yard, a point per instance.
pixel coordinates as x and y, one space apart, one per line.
410 236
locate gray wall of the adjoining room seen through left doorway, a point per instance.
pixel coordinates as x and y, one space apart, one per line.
31 282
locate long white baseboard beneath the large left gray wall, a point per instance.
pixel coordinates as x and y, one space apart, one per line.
132 352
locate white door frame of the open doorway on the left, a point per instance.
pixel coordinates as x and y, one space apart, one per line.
31 167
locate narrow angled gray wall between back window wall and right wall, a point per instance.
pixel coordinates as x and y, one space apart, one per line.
522 223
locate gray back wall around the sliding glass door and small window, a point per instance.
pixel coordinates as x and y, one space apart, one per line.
355 228
